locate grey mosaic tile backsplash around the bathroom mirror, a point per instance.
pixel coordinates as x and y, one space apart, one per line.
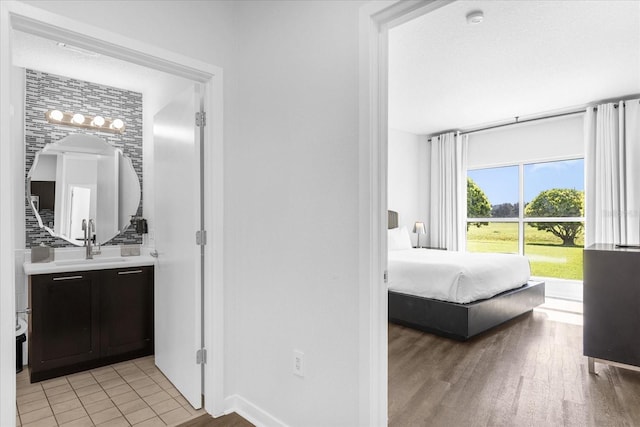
48 91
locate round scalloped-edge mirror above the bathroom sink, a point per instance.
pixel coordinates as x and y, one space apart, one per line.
78 178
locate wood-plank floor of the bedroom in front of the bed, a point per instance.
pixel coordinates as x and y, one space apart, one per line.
528 372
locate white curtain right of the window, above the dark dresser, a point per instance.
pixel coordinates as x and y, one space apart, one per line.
612 169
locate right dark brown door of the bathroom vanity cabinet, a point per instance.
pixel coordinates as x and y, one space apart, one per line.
126 307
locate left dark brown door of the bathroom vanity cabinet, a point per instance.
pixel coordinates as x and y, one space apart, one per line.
64 322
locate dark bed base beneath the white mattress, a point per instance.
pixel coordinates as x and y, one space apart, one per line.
463 321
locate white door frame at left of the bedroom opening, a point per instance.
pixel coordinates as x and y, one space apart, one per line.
376 18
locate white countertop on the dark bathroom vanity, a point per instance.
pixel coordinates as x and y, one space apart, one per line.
75 261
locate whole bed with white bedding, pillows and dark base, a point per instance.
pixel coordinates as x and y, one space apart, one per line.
454 294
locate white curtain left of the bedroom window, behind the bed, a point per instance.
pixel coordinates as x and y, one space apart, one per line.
447 191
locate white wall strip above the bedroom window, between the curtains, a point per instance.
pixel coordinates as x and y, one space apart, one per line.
558 138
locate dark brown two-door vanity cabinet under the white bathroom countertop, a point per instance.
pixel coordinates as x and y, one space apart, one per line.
86 319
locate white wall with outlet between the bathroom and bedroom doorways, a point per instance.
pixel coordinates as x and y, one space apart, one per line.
292 182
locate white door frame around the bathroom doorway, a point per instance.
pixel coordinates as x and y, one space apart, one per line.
20 16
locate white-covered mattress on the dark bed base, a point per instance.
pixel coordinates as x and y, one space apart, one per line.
460 277
